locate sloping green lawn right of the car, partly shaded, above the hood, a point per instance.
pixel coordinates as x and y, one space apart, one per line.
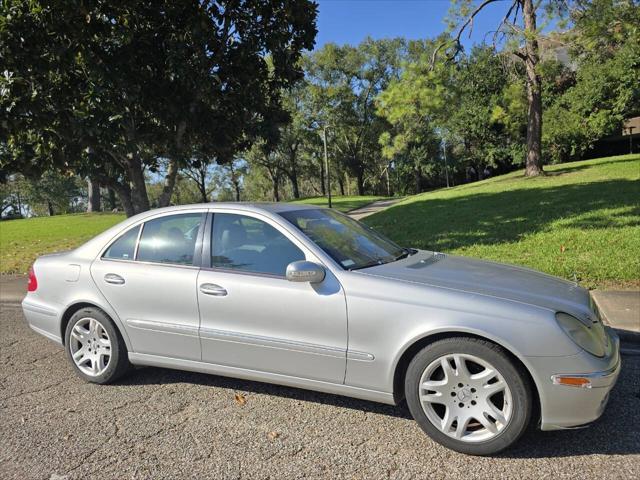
582 218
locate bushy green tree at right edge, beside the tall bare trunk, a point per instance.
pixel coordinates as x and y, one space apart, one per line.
604 89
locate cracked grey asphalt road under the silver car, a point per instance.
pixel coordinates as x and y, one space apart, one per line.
168 424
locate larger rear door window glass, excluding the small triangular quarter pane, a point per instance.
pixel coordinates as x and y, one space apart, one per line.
170 239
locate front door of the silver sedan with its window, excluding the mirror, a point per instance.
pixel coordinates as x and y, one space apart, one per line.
253 318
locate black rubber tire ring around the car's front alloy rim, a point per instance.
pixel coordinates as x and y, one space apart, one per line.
515 378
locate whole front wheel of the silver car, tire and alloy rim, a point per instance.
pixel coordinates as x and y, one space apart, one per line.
495 409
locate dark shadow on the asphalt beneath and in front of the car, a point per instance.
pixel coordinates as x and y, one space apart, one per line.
617 432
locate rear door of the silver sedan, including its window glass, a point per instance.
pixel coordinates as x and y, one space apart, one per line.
148 275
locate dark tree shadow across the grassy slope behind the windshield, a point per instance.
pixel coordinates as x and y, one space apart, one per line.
508 216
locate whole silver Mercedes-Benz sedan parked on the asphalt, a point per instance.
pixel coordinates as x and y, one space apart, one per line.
307 297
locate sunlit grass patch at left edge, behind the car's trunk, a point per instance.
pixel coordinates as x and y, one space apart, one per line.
21 241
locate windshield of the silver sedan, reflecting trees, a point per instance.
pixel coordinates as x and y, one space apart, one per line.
350 243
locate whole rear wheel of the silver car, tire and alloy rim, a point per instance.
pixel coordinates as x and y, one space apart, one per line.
101 354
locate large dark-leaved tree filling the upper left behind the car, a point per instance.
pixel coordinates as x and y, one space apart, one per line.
110 88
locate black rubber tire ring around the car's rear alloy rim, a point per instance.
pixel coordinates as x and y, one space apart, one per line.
119 361
